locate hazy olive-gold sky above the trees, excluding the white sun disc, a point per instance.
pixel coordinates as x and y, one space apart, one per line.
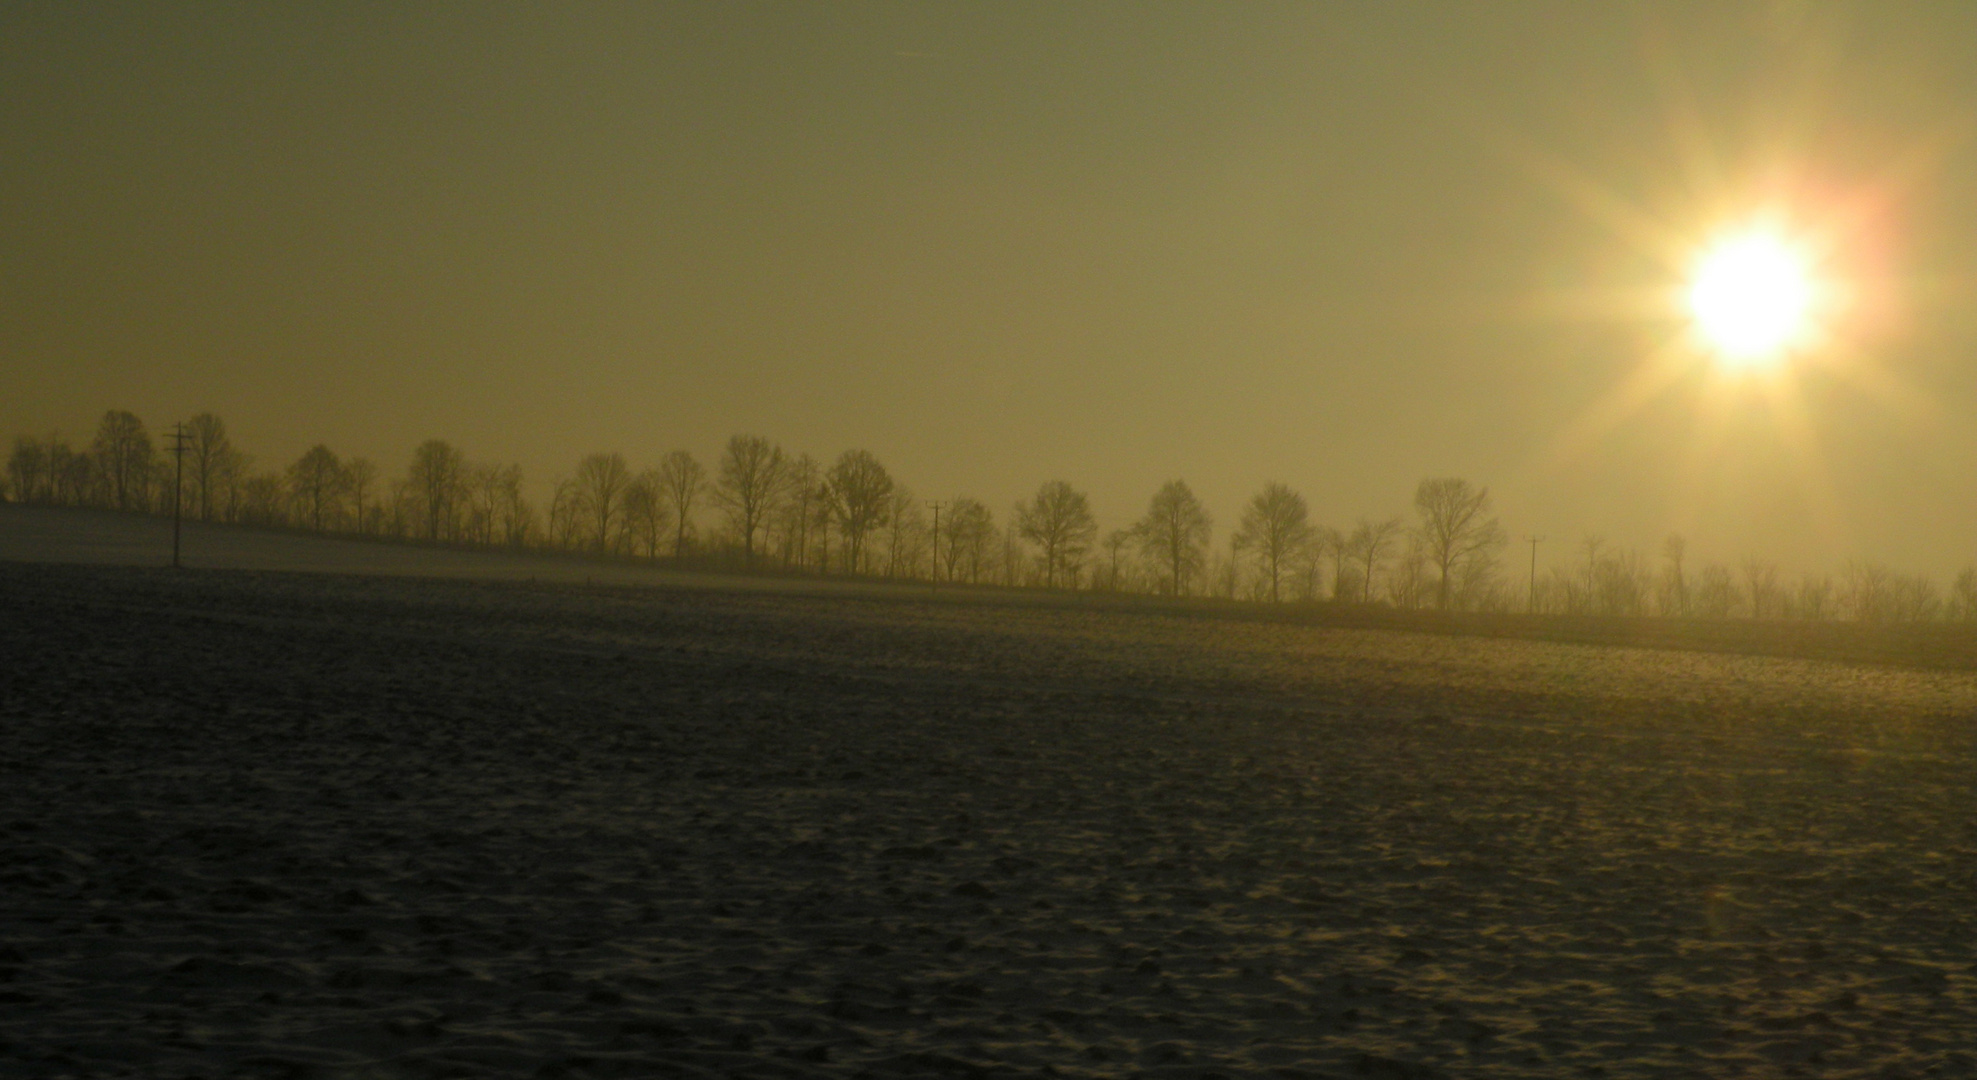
1343 246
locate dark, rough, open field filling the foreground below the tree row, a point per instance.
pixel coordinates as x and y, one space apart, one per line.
284 826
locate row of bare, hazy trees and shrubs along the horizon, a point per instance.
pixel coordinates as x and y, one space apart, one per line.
764 507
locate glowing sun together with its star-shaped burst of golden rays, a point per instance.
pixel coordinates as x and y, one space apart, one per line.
1764 290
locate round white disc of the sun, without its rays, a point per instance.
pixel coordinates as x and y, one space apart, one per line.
1753 298
